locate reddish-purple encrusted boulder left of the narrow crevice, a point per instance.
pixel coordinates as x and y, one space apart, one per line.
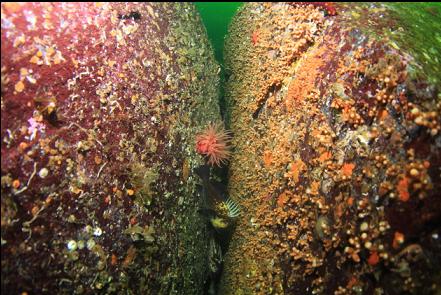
100 104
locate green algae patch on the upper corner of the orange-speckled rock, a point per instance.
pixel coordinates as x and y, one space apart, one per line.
412 28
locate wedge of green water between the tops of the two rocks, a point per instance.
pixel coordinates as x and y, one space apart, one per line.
216 17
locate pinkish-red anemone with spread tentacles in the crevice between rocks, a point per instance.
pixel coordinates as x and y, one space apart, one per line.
213 143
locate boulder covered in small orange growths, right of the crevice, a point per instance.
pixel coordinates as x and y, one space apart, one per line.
335 111
